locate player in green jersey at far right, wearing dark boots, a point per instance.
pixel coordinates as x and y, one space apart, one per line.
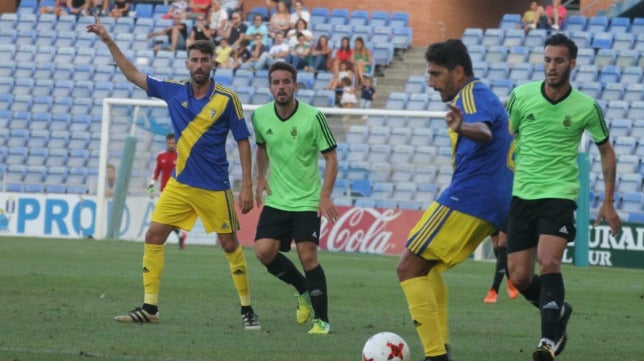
548 119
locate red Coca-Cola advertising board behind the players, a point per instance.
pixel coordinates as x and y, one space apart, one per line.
361 230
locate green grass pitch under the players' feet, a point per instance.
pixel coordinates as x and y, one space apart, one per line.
58 298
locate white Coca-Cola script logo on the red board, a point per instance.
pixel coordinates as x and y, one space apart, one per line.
364 230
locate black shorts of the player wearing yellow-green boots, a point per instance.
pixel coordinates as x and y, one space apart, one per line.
287 226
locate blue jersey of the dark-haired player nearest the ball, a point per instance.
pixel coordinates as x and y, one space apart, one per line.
481 184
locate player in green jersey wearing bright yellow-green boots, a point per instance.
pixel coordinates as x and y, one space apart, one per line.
289 136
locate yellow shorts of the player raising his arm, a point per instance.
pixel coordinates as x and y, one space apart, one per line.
180 204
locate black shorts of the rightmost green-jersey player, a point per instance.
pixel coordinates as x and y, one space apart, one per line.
528 219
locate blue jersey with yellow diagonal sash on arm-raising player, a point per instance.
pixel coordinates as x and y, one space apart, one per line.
200 128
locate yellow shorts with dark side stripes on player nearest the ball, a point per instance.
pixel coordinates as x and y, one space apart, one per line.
447 236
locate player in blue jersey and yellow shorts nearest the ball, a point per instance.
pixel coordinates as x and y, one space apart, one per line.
472 207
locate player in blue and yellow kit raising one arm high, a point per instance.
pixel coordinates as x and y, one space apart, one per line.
202 114
